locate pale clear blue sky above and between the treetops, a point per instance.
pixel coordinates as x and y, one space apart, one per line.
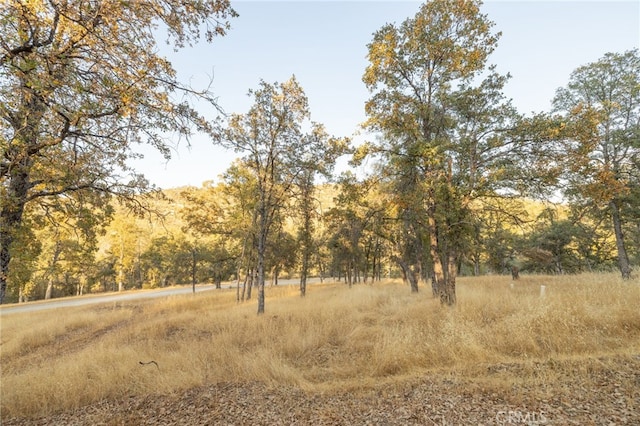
324 44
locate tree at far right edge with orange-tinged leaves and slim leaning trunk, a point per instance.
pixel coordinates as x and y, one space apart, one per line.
601 106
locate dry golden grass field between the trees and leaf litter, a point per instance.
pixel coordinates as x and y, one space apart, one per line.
335 338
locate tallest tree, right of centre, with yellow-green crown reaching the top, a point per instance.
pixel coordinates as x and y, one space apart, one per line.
438 130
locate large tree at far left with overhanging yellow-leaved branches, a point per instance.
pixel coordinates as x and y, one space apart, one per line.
81 84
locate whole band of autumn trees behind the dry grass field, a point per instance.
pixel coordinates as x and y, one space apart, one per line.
455 166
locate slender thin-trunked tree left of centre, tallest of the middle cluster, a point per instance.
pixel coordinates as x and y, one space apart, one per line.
275 147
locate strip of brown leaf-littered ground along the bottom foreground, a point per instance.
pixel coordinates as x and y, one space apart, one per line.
604 392
